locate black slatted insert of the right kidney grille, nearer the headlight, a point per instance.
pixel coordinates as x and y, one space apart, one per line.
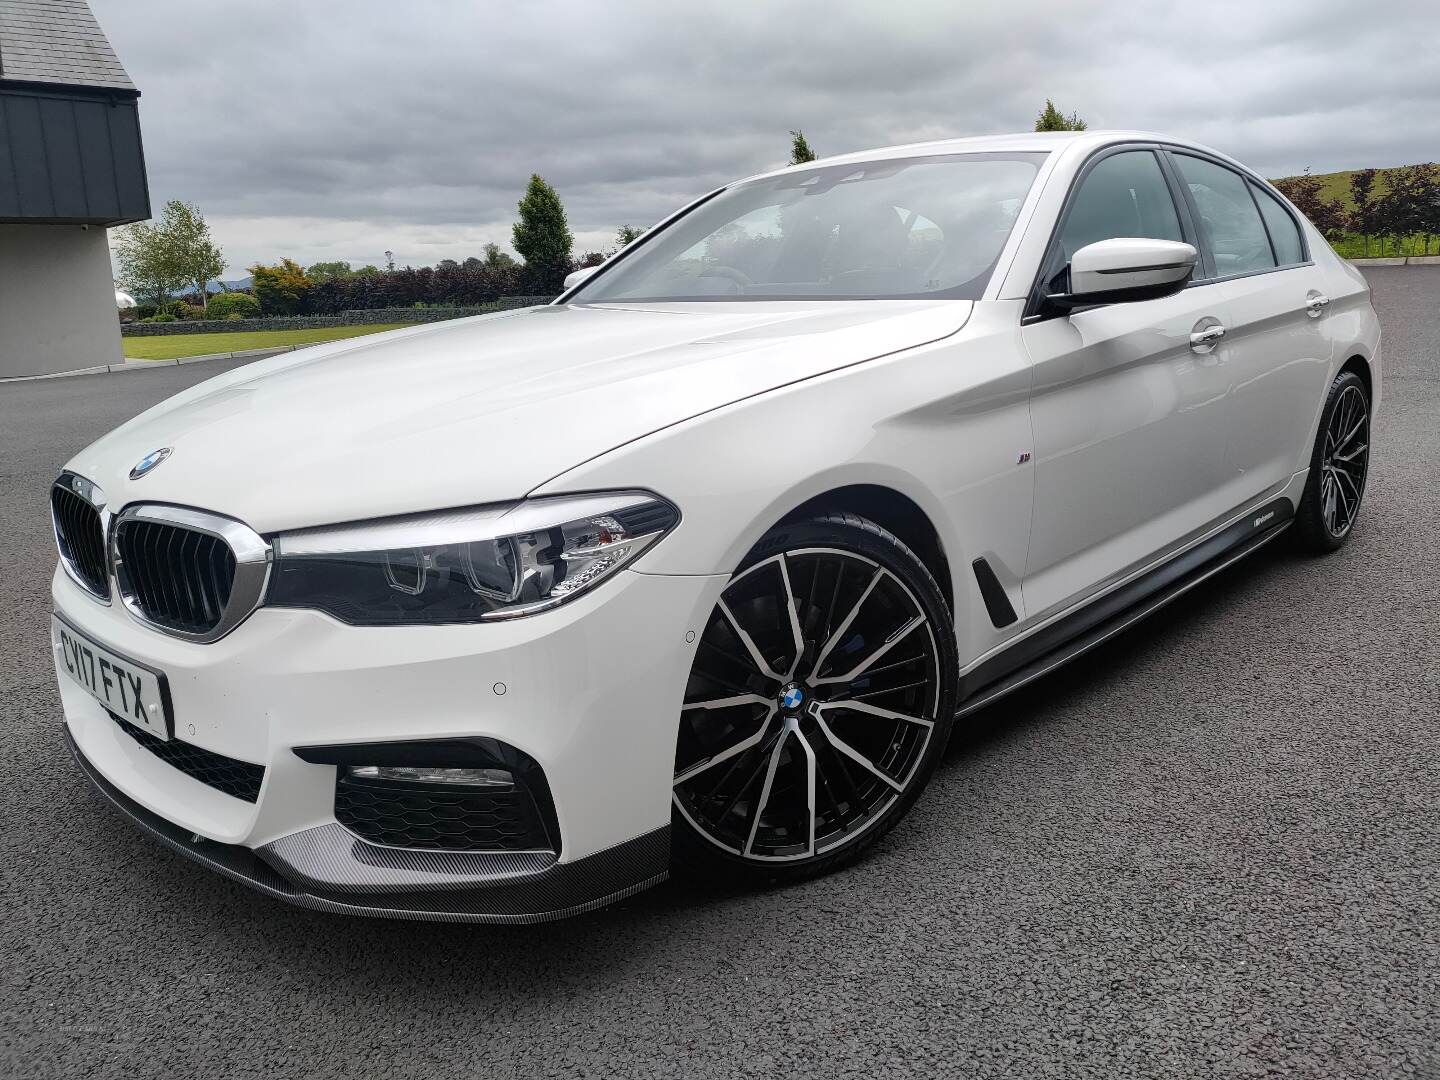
179 578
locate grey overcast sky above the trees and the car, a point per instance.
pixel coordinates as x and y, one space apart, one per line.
341 130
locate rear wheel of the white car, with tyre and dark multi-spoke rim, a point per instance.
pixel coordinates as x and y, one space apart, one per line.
1340 466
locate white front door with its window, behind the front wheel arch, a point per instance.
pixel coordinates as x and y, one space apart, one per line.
1127 413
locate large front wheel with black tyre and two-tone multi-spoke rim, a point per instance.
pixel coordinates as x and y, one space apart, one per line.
790 762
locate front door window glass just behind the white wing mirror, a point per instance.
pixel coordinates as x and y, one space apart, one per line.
1125 195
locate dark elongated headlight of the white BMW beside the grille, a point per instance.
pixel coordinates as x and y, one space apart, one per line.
467 565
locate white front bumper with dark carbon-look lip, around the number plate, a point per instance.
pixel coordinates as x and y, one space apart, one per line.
591 692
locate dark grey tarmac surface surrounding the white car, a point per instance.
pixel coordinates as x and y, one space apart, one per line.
1209 852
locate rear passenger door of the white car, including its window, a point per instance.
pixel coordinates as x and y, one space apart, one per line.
1278 352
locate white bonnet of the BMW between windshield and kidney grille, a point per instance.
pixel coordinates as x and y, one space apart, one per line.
480 410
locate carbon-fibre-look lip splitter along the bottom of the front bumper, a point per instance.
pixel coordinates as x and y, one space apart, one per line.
329 869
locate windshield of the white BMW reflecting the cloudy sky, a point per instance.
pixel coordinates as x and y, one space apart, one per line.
904 228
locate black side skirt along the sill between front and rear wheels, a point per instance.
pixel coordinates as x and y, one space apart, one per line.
1082 631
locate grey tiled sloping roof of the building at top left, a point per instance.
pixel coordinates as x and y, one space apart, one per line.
57 41
